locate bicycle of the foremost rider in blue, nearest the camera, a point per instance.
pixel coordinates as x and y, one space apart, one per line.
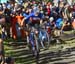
33 43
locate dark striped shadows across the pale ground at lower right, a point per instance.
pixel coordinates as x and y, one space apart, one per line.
55 57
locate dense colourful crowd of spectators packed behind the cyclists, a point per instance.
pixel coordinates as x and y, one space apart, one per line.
21 13
